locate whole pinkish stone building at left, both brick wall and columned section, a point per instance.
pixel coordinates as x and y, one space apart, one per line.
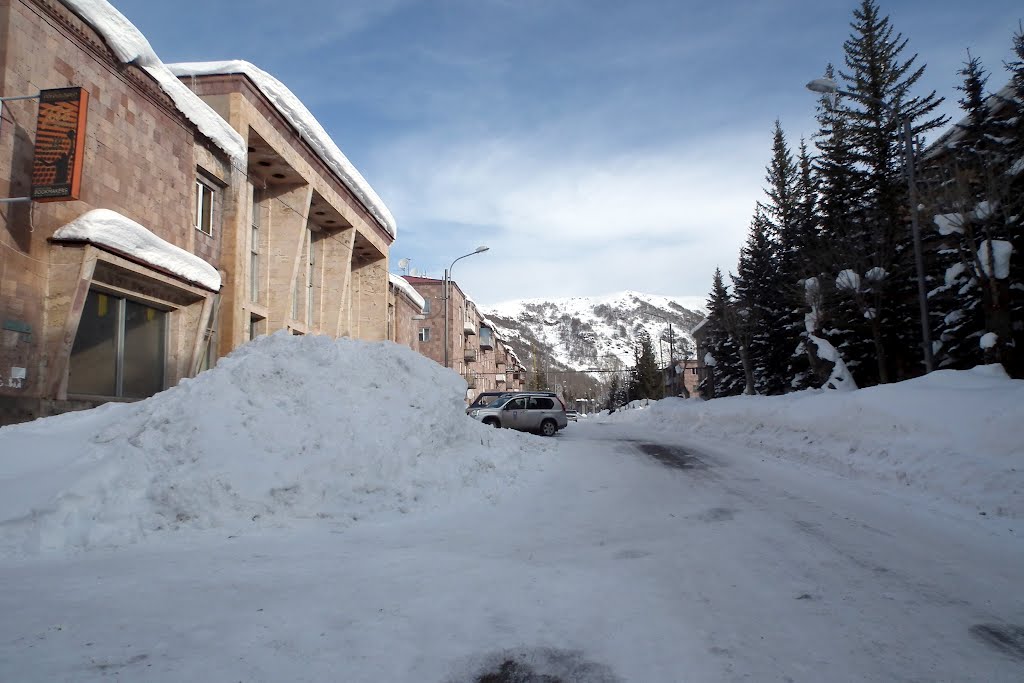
195 227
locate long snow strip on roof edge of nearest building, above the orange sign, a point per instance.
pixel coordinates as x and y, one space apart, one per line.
131 47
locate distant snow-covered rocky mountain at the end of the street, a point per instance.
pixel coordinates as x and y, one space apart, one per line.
584 333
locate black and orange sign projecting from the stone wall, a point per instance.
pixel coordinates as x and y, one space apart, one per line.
57 168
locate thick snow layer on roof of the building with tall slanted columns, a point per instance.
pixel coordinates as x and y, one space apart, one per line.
306 123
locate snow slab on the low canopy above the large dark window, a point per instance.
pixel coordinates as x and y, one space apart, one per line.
109 229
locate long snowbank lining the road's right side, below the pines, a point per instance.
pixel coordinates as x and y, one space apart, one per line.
956 436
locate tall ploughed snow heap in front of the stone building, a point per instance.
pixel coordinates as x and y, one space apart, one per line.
284 429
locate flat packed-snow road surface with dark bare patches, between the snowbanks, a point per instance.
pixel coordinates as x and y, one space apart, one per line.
629 559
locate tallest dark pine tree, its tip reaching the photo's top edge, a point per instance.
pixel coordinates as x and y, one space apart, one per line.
883 80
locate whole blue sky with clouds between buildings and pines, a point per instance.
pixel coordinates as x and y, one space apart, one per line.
593 146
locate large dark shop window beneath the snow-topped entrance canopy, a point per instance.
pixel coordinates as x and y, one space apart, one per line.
119 350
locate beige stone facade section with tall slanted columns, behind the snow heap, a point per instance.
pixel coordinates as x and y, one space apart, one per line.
302 252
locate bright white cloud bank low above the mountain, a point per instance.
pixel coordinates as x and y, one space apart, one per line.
581 222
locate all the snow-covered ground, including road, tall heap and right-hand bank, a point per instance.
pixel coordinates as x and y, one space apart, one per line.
324 510
